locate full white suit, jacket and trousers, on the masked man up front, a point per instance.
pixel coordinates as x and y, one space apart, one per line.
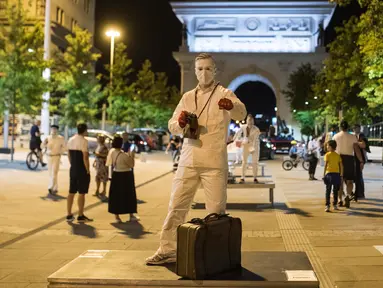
203 162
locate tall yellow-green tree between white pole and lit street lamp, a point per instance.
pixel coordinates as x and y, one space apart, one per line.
77 81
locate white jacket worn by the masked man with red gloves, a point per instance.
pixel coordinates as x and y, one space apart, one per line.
214 122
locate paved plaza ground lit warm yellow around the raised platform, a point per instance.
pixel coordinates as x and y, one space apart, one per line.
36 241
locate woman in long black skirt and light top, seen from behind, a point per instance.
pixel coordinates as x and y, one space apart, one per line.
122 193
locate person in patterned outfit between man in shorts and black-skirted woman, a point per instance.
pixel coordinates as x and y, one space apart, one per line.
100 165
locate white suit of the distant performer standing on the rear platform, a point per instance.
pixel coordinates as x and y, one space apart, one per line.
250 147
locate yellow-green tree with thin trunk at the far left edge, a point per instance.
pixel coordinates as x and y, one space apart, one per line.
22 64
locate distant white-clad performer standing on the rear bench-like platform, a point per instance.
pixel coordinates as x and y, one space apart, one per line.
250 145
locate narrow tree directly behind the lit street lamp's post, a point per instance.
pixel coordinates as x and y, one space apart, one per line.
121 92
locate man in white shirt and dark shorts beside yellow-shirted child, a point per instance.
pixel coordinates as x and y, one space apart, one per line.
347 145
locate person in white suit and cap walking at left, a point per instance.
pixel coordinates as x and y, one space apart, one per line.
55 145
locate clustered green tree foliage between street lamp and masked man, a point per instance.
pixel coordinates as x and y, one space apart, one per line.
147 101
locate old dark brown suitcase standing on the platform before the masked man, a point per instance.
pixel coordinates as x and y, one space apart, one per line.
209 246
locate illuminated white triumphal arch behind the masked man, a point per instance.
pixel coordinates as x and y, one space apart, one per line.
253 41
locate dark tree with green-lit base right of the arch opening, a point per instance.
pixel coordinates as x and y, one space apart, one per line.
300 95
